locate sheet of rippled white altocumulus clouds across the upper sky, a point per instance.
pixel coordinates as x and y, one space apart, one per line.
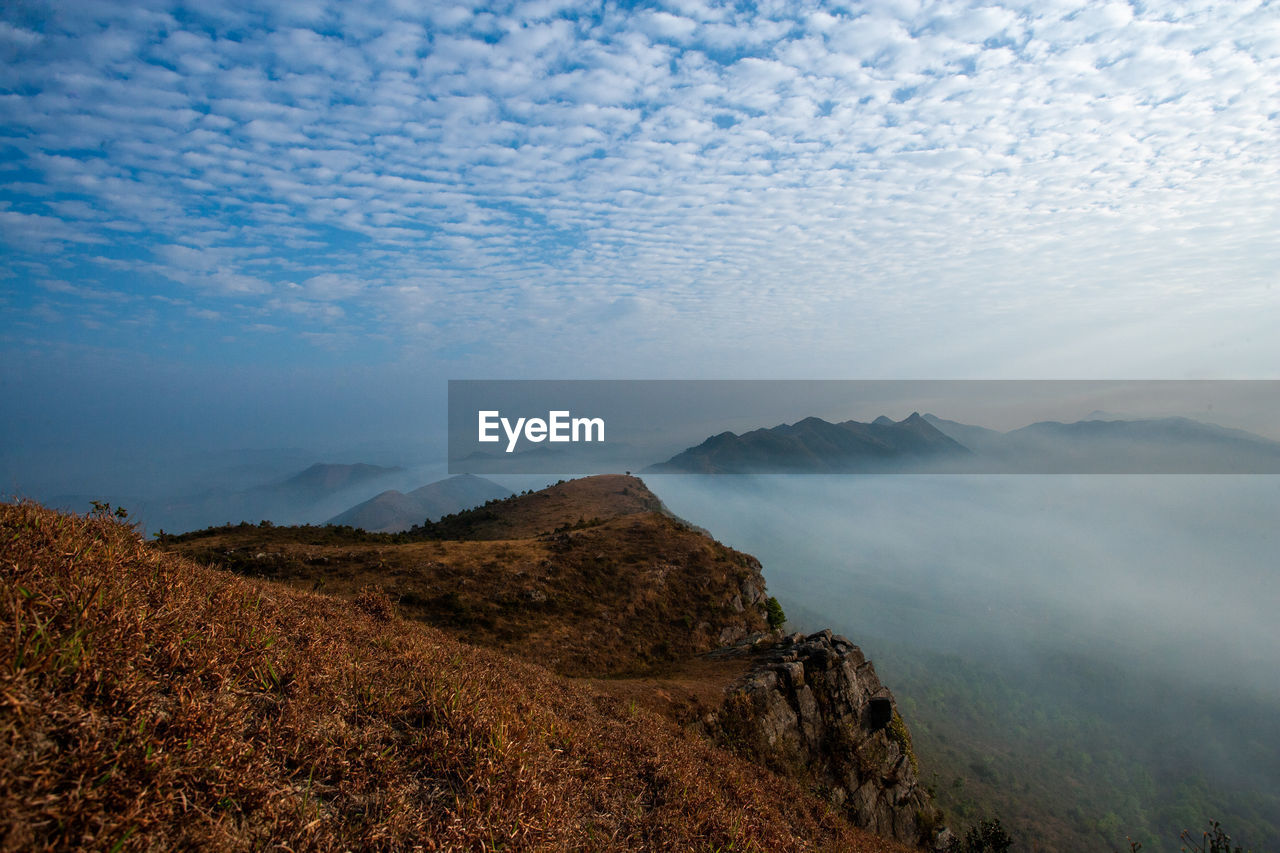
900 166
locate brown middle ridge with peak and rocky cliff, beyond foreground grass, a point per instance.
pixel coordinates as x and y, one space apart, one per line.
596 580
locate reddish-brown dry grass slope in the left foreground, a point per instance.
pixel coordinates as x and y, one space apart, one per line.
148 703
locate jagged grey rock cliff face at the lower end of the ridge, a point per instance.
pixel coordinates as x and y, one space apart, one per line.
815 709
